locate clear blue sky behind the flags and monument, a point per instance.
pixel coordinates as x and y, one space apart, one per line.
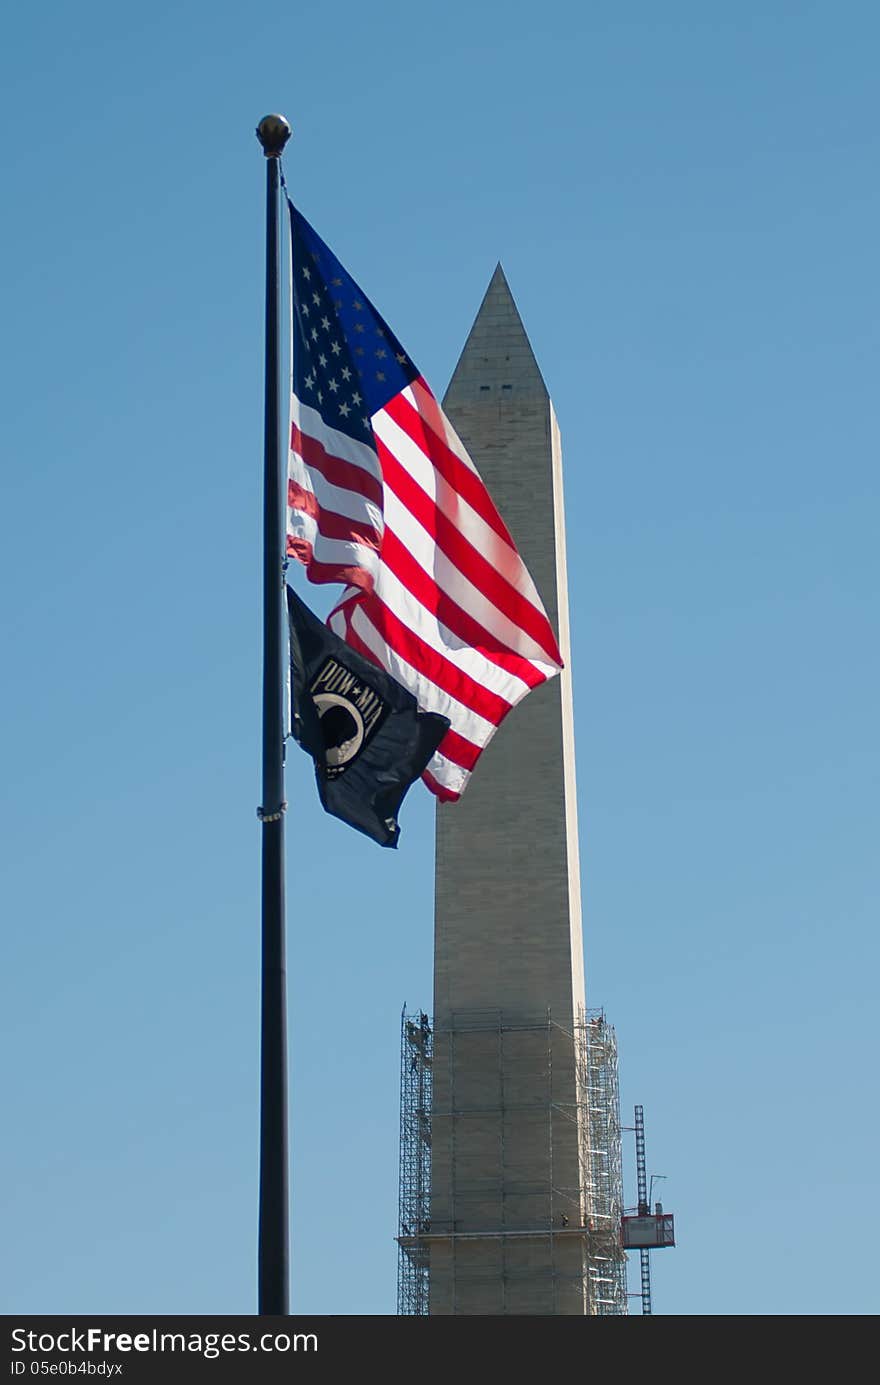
685 200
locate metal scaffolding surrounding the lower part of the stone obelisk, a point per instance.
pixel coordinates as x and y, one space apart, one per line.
579 1222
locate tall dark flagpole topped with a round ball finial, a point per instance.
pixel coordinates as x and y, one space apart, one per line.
274 134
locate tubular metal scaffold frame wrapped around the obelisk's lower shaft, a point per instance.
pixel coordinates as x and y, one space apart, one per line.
590 1213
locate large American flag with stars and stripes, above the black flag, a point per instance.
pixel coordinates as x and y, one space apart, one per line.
385 499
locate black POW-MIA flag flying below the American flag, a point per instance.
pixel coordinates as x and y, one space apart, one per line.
365 732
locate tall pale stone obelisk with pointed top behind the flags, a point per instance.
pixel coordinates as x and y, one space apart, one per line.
509 1143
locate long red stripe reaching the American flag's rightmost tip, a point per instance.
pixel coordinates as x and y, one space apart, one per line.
465 556
